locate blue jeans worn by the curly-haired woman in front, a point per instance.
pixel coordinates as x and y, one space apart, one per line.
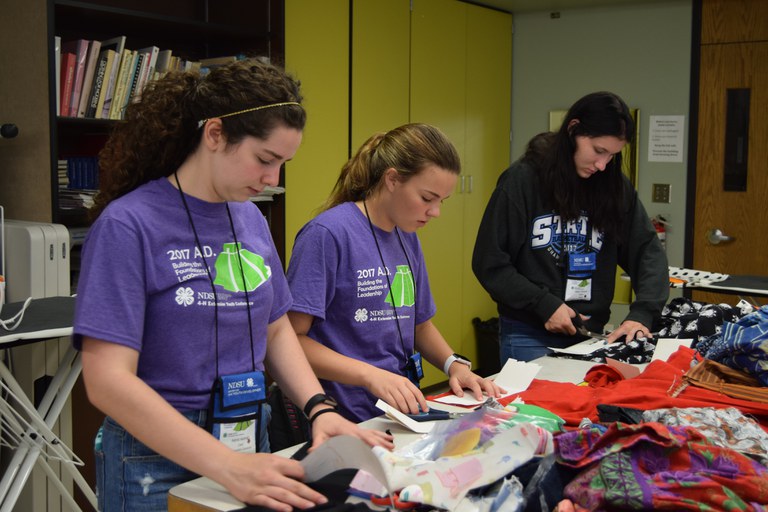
132 477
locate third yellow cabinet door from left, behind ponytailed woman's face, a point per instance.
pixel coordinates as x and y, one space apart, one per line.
438 92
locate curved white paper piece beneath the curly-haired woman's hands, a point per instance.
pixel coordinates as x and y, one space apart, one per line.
342 452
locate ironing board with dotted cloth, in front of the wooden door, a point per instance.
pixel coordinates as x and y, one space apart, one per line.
756 286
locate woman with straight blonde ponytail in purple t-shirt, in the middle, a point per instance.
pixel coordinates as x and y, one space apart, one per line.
362 304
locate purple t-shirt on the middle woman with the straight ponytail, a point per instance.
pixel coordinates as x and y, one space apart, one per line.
337 275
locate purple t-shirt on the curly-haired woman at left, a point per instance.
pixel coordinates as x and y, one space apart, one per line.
143 284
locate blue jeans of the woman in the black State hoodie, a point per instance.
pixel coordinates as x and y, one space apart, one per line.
524 342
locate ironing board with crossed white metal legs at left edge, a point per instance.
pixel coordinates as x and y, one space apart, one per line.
26 428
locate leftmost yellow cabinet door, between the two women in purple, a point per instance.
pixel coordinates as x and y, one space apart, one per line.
316 53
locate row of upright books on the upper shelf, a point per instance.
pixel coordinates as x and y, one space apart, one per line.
98 79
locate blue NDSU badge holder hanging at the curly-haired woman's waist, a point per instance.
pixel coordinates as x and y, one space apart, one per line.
235 412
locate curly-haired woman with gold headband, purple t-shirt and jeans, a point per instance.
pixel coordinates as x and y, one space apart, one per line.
182 300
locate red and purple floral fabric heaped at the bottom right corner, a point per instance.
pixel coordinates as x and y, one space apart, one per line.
654 467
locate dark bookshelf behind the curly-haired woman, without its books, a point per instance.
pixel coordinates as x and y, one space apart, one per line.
192 29
